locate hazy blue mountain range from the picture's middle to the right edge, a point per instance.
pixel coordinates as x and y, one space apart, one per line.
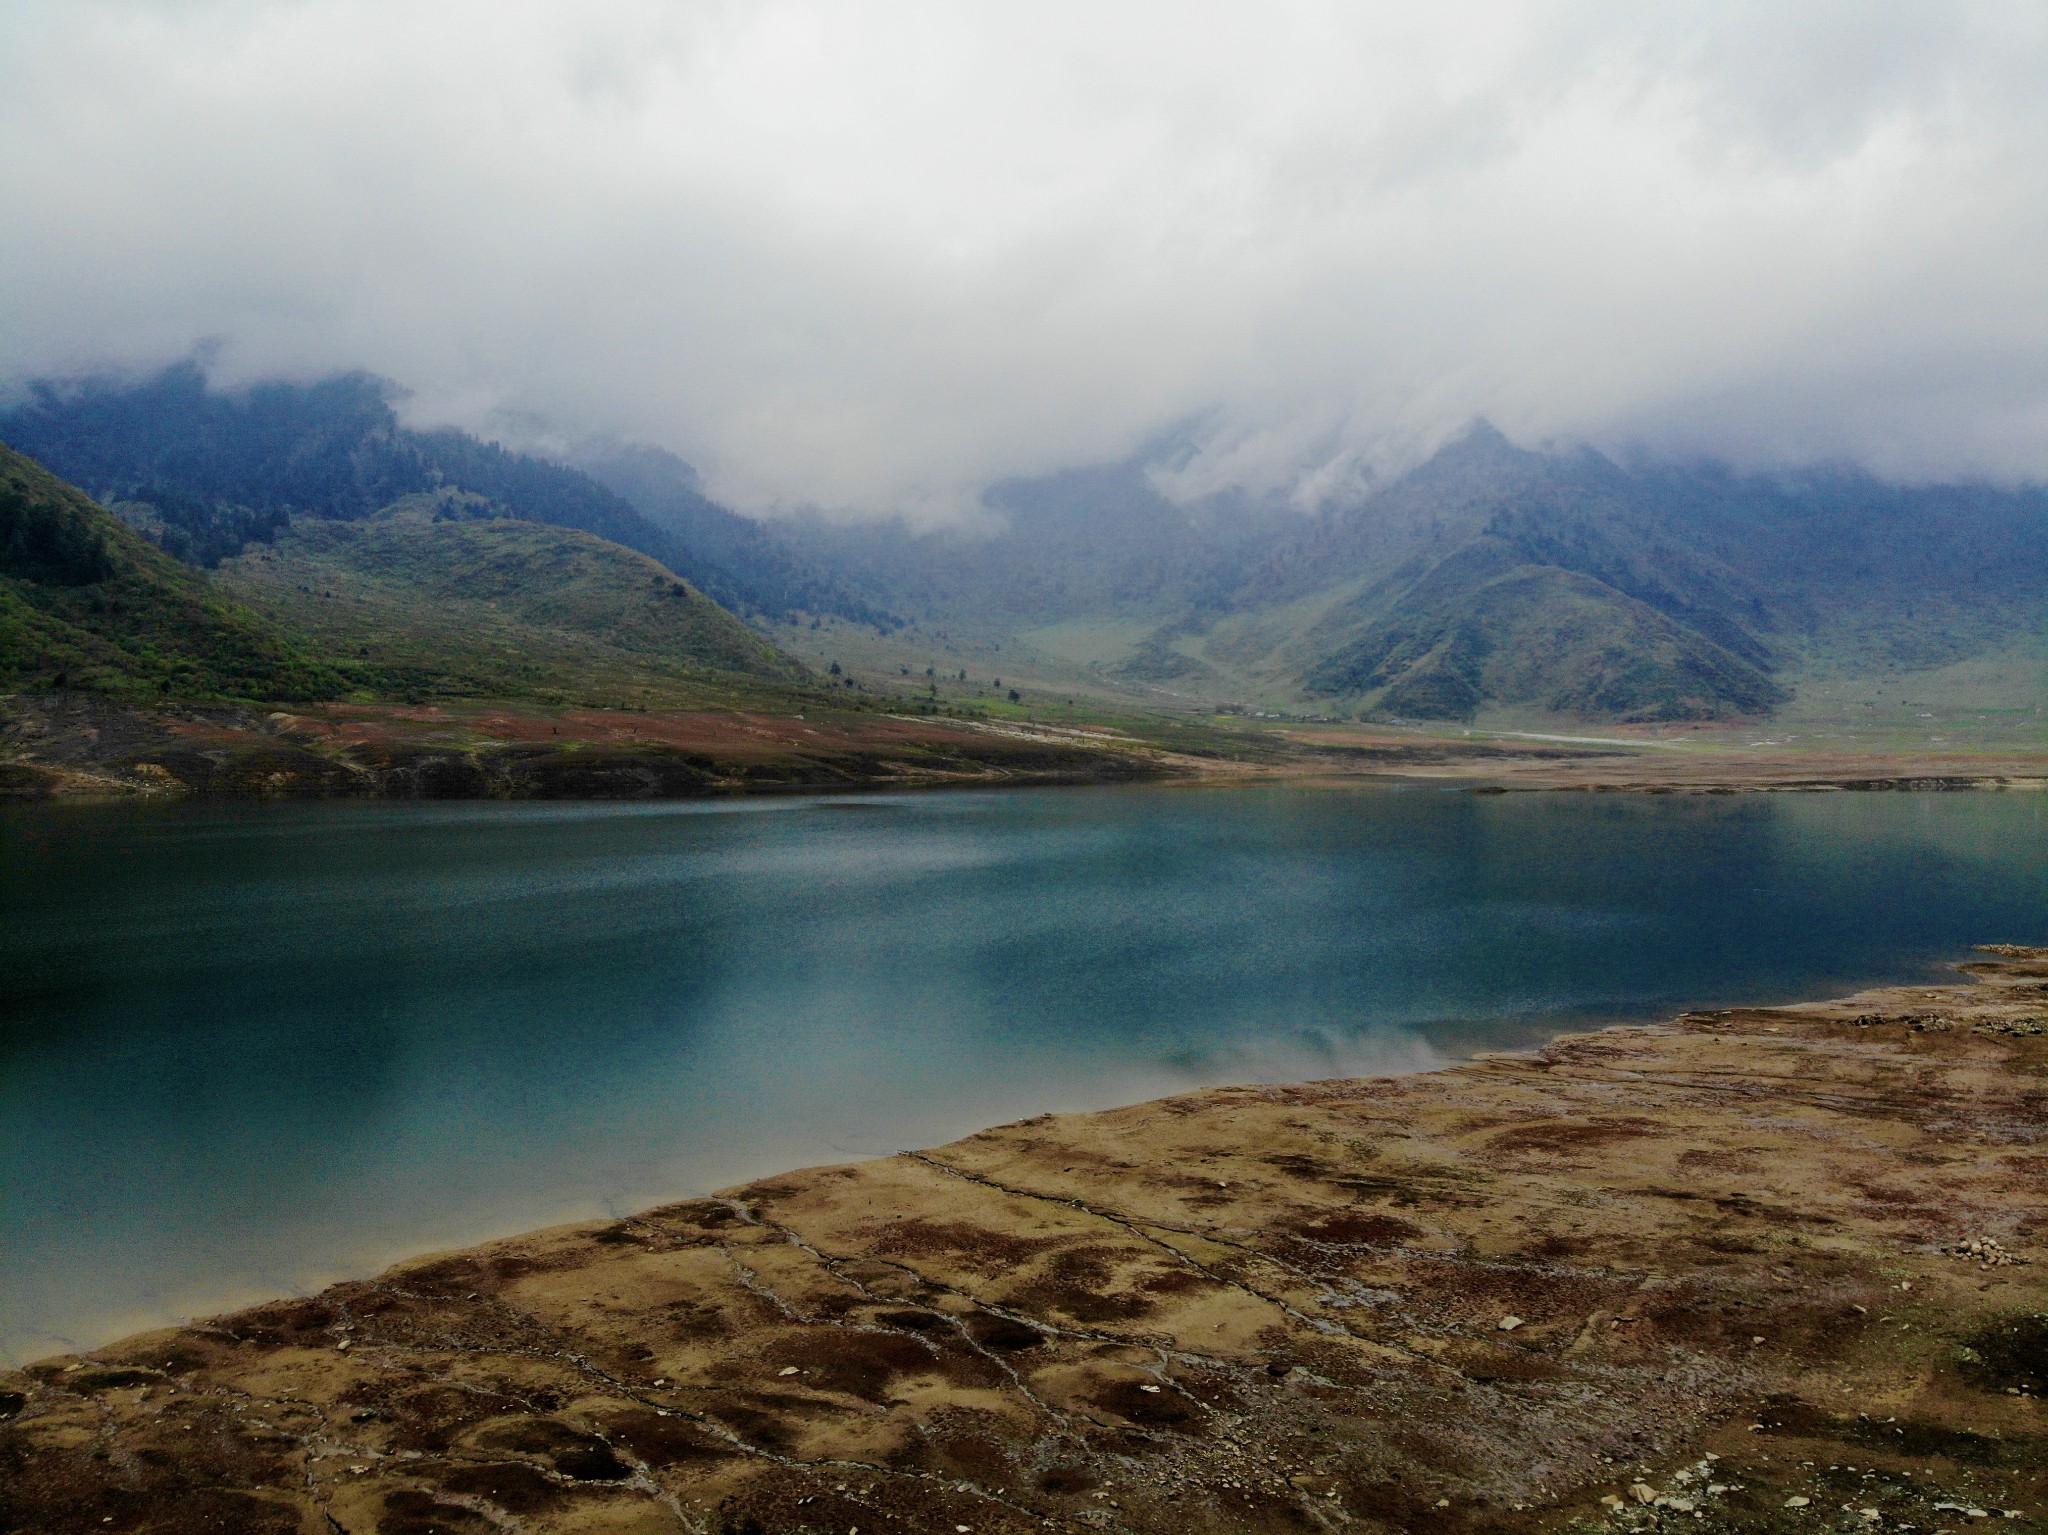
1488 580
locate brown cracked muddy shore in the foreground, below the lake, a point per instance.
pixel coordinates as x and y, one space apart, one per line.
1750 1270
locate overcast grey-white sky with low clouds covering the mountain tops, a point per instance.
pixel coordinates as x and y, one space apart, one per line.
871 257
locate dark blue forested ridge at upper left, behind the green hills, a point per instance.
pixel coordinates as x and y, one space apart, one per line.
206 474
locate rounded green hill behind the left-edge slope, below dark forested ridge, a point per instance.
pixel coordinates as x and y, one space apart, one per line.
445 597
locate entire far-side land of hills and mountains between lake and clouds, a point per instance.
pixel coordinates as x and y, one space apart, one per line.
1488 601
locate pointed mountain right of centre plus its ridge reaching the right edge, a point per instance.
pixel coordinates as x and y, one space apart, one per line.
1572 584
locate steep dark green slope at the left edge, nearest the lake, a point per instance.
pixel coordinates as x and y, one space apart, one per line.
87 603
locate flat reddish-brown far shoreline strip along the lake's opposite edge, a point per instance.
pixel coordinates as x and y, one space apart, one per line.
79 748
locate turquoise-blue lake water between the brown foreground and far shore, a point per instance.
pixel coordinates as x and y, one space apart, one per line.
249 1049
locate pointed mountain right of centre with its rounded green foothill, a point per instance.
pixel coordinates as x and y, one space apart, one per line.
1529 580
